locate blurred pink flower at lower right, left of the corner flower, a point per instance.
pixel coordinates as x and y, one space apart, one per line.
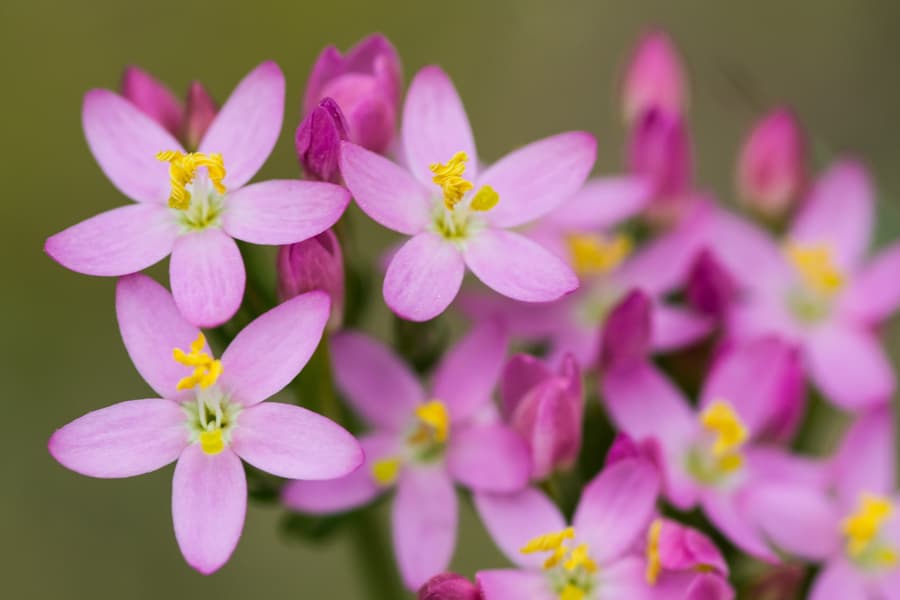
713 456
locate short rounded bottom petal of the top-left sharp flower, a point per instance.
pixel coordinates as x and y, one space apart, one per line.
207 277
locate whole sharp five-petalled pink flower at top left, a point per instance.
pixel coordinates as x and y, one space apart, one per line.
193 205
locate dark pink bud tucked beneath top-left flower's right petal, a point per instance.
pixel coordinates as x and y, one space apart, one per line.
314 264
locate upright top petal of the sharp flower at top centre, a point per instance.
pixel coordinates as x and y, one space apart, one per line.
435 125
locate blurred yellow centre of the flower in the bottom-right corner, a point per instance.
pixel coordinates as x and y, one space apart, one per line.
863 532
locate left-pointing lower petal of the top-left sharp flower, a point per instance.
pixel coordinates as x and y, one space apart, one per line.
116 242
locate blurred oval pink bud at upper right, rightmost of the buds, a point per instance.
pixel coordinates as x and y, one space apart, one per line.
771 170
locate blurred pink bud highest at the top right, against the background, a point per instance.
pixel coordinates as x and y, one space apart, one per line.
654 78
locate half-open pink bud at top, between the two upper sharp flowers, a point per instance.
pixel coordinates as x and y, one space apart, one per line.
366 83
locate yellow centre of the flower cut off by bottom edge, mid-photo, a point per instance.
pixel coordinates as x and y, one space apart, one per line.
570 570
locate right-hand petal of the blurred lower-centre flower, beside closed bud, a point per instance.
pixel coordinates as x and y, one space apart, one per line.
489 458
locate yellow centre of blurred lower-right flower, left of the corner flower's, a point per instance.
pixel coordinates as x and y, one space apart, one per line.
718 455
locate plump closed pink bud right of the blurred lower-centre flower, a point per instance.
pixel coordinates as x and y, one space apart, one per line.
546 408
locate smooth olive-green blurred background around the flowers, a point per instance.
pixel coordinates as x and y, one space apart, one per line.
525 69
